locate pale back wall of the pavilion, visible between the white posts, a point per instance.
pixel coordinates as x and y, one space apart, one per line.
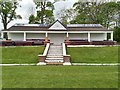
58 37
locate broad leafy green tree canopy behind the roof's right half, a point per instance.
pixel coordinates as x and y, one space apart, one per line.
95 12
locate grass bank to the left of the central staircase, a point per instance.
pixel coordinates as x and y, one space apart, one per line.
21 54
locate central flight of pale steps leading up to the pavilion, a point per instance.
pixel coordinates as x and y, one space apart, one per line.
55 55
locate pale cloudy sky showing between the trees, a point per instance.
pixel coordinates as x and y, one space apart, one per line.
28 7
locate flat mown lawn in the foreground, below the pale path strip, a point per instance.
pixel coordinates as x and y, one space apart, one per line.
60 77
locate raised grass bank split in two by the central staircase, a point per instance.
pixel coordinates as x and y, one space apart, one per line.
78 55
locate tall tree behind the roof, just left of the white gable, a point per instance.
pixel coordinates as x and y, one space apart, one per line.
45 11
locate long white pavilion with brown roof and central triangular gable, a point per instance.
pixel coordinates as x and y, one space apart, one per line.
57 32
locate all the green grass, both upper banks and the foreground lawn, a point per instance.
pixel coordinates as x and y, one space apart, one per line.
60 76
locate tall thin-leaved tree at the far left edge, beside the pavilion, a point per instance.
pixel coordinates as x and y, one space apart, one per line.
7 13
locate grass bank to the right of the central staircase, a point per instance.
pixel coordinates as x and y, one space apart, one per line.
93 54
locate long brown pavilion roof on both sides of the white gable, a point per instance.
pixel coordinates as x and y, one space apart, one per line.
46 28
